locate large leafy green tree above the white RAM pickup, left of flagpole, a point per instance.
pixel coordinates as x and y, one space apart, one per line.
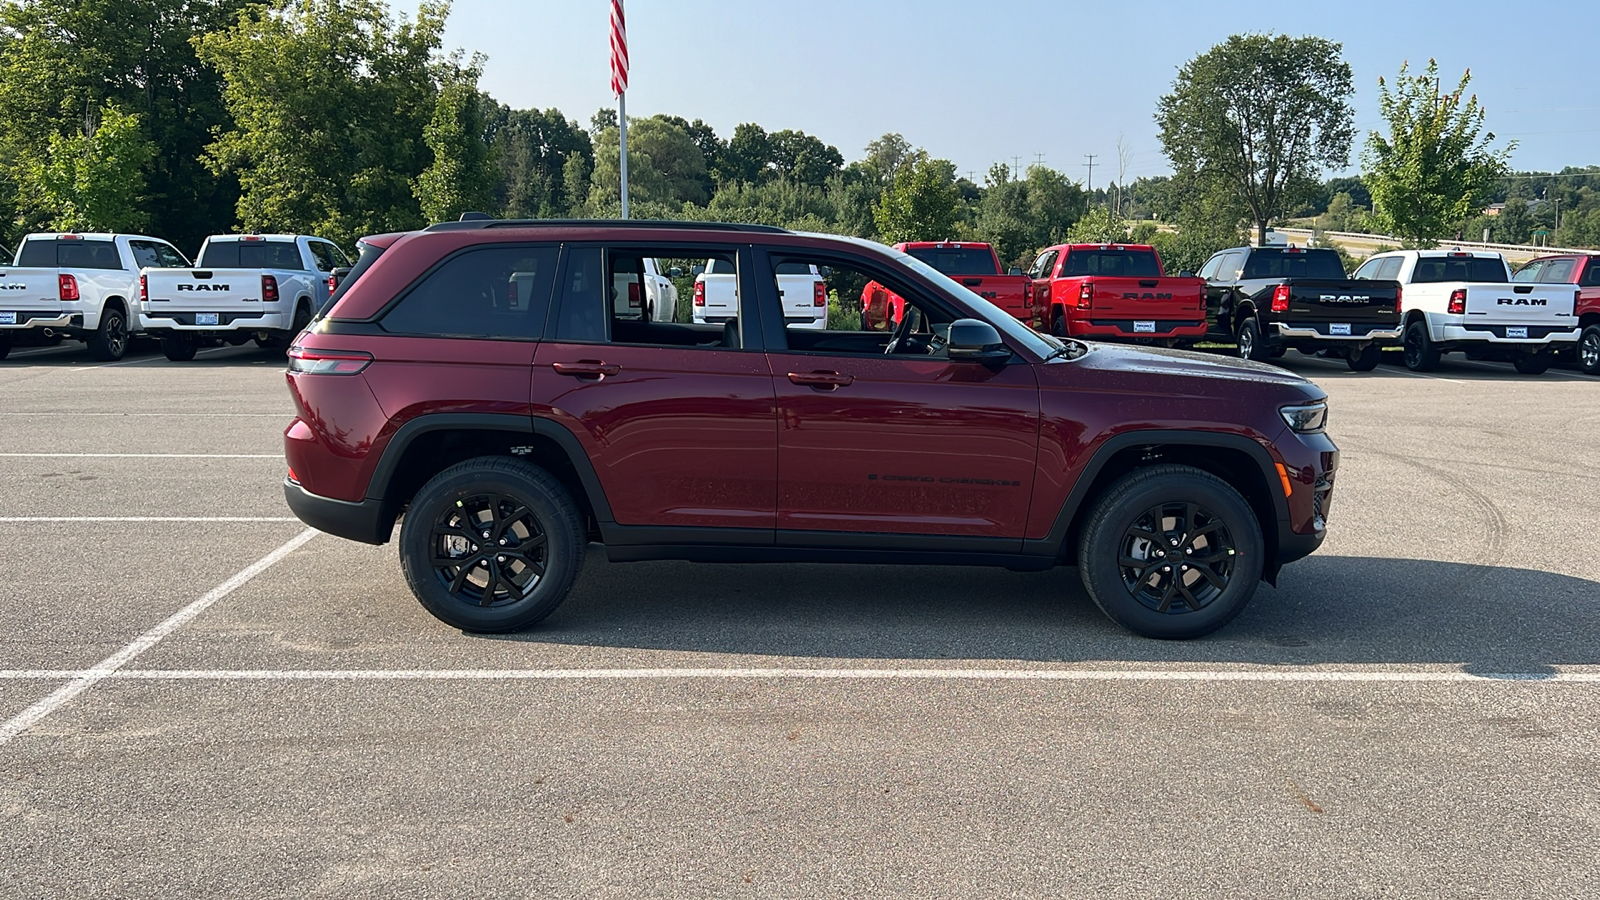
330 102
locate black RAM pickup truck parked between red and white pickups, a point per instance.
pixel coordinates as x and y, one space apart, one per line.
1271 299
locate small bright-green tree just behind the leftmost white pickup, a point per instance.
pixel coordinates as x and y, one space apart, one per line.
95 180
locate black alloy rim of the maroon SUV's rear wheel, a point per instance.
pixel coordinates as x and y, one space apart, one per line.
489 550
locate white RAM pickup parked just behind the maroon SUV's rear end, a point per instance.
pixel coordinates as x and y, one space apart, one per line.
246 286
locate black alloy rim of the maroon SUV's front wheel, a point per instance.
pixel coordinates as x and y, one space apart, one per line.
1177 558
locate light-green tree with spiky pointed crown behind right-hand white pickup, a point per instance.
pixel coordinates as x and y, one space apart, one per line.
1436 167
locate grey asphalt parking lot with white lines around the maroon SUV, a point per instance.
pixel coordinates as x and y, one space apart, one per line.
202 699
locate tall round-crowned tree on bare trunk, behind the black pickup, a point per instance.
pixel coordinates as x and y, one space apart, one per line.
1262 116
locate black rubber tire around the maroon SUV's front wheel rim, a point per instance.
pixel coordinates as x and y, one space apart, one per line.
1116 513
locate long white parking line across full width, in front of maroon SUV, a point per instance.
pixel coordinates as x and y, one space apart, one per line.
1380 677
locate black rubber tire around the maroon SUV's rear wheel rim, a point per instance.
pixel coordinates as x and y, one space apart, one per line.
545 497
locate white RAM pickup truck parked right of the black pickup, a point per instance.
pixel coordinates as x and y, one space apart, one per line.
1458 300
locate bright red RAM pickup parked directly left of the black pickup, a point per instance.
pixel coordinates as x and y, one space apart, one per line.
1116 292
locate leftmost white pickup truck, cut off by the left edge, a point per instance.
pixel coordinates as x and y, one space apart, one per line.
79 286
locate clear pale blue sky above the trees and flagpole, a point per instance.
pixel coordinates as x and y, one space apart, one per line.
1006 81
